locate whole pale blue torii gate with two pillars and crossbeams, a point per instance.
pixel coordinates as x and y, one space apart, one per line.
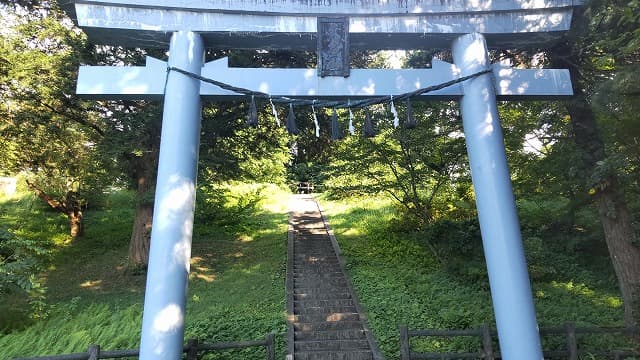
188 27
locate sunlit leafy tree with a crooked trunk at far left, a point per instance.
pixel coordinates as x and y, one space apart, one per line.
46 131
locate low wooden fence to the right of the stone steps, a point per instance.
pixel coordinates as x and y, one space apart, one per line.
487 336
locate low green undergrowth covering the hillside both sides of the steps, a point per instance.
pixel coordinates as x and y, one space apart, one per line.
81 292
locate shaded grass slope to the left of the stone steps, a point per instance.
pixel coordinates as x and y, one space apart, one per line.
236 287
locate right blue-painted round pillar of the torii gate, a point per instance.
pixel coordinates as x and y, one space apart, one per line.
502 241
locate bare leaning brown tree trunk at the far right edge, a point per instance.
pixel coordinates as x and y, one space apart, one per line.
610 201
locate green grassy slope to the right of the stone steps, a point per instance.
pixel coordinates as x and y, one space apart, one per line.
399 282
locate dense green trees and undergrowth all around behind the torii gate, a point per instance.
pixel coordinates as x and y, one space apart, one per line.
77 158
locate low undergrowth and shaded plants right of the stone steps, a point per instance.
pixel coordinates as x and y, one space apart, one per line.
436 279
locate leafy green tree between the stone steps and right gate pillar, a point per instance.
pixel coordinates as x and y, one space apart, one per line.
415 166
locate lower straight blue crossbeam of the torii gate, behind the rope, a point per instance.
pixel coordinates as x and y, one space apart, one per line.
147 82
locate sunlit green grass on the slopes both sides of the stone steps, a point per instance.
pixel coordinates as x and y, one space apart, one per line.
236 287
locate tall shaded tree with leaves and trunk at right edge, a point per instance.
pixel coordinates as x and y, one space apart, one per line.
601 54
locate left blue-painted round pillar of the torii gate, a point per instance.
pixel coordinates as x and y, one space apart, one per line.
164 305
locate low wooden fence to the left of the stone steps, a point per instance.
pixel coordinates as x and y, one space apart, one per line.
191 350
